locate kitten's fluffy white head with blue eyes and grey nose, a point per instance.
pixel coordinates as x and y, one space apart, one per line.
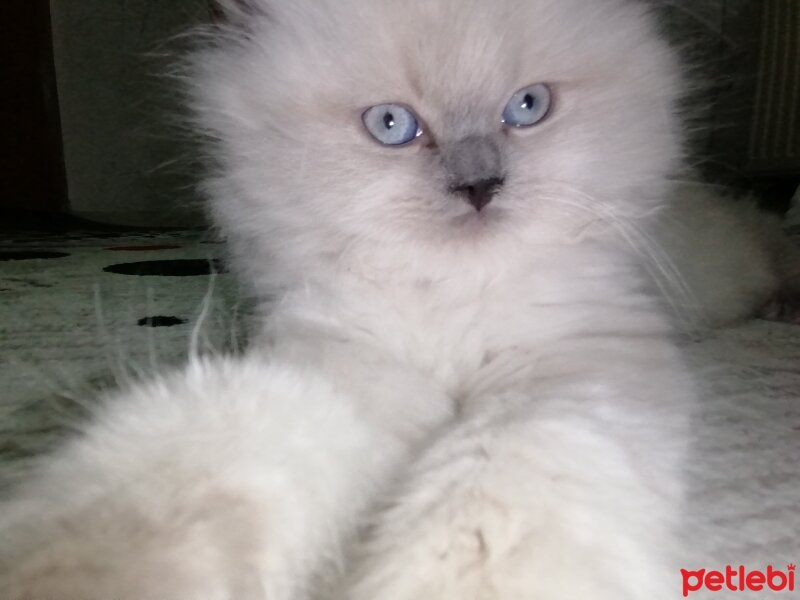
431 131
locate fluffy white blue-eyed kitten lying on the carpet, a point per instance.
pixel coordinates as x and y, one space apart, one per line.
465 388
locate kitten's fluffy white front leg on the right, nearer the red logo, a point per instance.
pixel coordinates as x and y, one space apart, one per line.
555 500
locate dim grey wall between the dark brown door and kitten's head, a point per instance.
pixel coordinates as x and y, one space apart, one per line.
119 151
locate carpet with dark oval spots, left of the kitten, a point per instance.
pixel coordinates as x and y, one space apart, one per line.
81 311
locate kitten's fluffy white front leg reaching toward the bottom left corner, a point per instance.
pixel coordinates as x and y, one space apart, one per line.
233 479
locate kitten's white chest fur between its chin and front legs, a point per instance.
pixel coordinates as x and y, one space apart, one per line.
481 326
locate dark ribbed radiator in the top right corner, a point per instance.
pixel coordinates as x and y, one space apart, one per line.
774 146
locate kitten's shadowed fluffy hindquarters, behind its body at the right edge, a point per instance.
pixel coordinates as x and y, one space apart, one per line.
727 258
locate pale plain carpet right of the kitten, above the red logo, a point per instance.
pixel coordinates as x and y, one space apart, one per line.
745 492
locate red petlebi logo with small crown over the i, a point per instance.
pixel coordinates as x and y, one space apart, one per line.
739 579
